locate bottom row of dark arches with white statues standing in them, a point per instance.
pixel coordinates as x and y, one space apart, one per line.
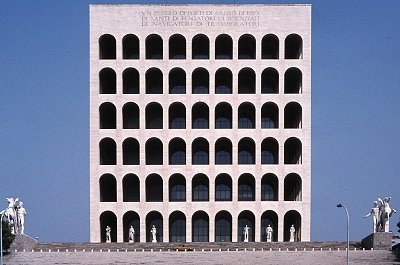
200 226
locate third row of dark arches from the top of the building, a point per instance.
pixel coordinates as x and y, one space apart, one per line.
200 116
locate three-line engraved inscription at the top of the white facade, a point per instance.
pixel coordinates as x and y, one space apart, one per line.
245 18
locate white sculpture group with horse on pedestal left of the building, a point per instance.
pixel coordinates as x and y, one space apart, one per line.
14 215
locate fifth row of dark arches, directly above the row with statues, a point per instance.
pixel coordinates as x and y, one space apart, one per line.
200 188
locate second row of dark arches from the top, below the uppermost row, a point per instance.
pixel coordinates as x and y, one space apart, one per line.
200 80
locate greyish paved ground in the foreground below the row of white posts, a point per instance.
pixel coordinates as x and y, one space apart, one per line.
204 258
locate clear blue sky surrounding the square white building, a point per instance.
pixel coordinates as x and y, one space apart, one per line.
44 113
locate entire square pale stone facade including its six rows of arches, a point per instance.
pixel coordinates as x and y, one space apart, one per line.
200 121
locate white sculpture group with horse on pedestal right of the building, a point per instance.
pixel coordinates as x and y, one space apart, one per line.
381 212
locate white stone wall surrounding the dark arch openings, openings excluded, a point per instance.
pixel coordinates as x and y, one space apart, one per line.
120 20
